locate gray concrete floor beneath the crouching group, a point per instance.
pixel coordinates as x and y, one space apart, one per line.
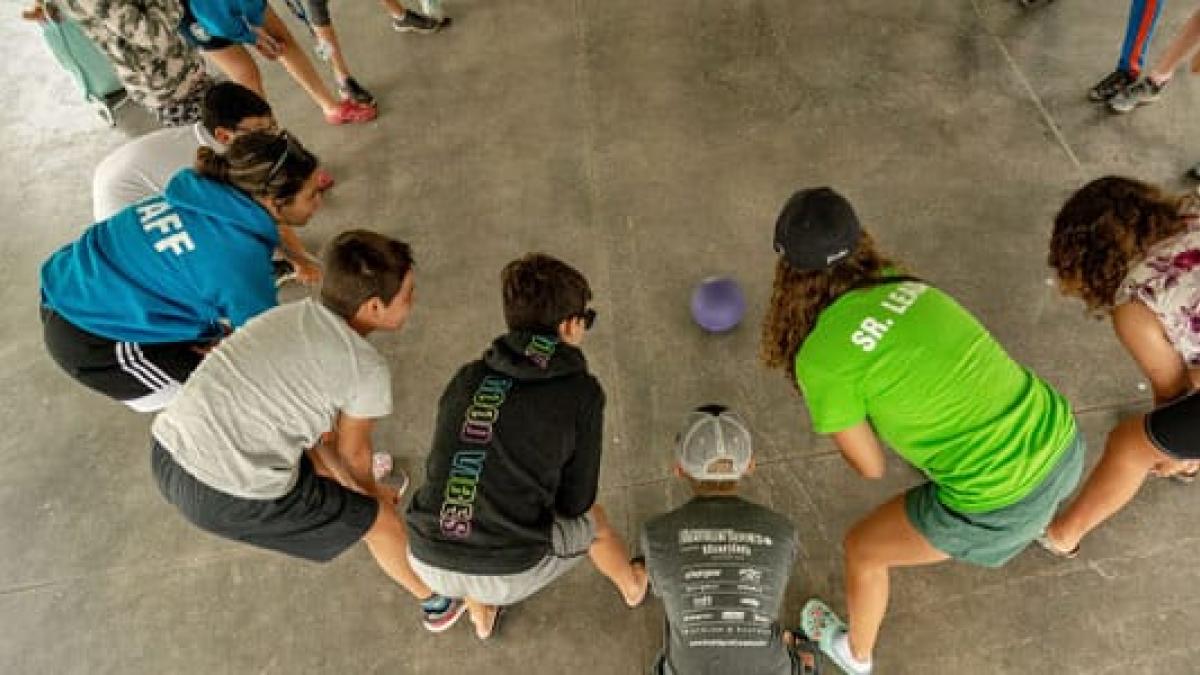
651 144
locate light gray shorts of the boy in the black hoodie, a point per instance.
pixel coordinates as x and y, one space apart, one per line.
571 542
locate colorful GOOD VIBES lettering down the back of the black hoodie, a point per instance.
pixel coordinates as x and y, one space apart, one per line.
467 467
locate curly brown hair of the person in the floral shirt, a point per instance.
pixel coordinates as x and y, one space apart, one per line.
1105 229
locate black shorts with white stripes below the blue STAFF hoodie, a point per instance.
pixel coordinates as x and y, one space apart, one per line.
143 377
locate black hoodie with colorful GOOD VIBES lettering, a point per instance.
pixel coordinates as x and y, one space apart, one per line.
518 444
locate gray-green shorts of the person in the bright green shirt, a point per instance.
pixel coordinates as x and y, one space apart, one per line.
993 539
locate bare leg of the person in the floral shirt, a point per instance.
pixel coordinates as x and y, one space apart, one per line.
1129 458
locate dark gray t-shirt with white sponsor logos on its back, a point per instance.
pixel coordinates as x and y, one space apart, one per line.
722 566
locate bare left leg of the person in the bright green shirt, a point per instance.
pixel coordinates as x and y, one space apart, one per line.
878 543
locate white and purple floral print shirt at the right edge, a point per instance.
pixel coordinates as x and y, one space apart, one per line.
1168 282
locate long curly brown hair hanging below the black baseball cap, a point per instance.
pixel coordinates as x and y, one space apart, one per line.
799 297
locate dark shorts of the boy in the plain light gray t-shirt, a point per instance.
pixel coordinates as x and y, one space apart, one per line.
317 521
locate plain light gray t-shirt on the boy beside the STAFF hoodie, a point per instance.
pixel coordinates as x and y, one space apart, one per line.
267 395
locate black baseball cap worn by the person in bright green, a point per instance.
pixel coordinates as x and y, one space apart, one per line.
817 230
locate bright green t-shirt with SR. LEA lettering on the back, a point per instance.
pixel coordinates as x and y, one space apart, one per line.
939 390
